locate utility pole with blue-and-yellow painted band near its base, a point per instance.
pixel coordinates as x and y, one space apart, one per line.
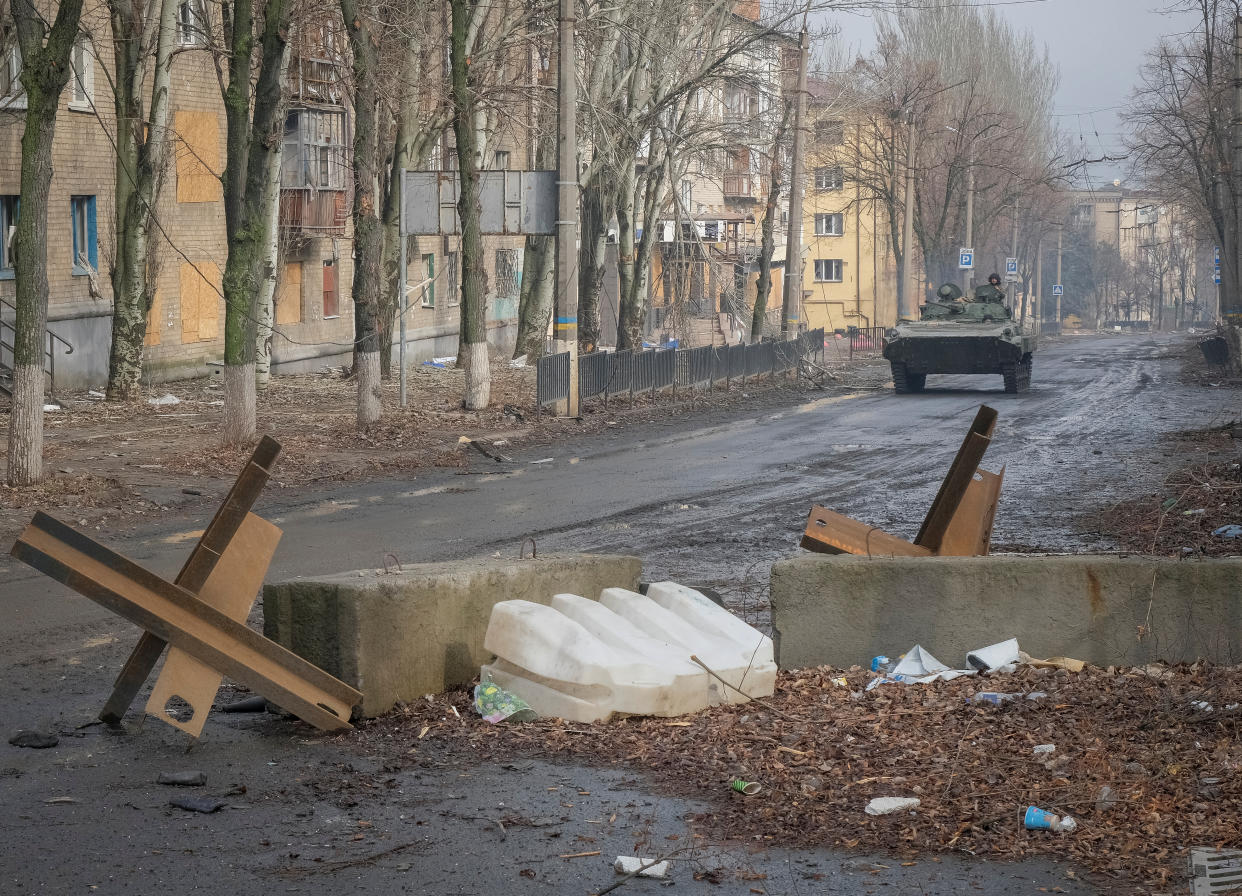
567 204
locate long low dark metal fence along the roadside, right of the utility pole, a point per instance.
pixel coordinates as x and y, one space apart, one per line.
619 373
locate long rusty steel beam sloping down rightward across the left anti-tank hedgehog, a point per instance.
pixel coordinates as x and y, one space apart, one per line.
186 622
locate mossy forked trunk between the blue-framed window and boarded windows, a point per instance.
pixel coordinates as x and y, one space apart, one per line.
142 153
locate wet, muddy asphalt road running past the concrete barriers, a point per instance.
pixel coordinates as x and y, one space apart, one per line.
701 500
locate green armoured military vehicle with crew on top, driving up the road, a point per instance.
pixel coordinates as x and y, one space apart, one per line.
959 335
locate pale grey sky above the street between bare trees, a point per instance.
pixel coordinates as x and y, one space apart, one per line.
1099 45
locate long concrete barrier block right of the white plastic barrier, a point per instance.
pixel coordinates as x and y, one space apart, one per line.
1108 611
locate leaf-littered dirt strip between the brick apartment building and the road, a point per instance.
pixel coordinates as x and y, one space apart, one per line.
114 464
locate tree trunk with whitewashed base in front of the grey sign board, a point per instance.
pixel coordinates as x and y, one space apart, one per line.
474 310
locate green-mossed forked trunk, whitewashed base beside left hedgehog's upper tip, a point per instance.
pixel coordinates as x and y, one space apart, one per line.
250 144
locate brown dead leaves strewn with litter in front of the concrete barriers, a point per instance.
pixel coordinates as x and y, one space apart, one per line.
1147 761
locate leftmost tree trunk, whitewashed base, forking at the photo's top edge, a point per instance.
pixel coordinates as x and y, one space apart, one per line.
44 75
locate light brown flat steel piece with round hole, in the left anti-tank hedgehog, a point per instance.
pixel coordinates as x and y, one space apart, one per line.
233 590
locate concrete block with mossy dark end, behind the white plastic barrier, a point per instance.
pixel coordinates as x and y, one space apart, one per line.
397 637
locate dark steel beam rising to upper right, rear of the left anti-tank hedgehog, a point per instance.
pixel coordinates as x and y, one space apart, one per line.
207 554
